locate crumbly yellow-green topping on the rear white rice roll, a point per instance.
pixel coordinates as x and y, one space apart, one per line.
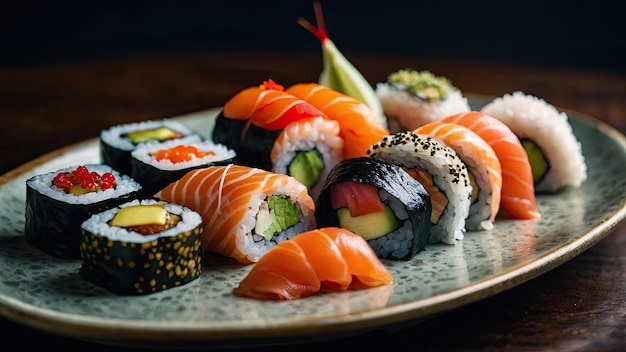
422 84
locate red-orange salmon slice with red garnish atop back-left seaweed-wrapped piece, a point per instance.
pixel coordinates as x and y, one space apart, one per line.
268 106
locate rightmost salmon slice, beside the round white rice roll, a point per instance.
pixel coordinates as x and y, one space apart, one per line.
518 190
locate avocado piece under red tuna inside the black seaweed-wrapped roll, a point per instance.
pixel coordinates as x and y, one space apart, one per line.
369 226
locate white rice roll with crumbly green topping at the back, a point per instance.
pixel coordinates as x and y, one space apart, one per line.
413 98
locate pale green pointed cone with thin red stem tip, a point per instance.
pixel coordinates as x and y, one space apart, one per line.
338 72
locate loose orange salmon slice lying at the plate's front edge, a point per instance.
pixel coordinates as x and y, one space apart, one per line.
330 257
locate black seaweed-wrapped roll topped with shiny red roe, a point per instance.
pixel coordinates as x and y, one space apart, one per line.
58 202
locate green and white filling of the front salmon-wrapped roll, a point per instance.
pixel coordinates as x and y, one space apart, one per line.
275 216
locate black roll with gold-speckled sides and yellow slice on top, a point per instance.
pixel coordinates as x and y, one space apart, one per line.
141 247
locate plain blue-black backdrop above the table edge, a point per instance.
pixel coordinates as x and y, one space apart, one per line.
588 34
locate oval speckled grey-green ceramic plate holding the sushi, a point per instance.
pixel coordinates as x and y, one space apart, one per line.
48 294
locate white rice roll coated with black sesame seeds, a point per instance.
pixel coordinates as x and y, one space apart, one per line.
441 171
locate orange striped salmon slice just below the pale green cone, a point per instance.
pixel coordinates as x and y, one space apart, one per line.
359 126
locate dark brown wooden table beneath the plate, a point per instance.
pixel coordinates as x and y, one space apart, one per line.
579 306
